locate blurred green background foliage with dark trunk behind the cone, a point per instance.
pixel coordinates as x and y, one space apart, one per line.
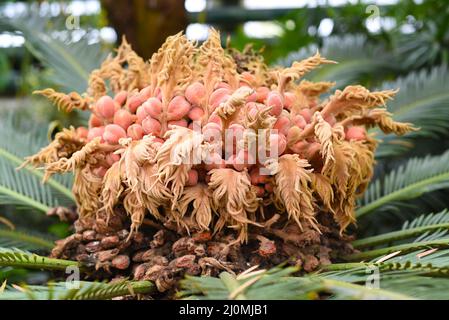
380 44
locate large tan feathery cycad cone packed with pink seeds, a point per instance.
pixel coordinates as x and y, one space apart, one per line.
158 147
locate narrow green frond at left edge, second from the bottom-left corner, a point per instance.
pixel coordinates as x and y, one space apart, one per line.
22 259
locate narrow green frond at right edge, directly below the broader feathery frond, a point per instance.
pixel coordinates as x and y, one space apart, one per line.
425 227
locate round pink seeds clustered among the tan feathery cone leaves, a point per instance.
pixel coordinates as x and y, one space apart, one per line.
134 115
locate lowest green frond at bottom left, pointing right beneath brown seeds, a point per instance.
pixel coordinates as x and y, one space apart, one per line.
85 291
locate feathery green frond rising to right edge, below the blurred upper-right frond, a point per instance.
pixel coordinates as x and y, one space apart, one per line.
410 180
